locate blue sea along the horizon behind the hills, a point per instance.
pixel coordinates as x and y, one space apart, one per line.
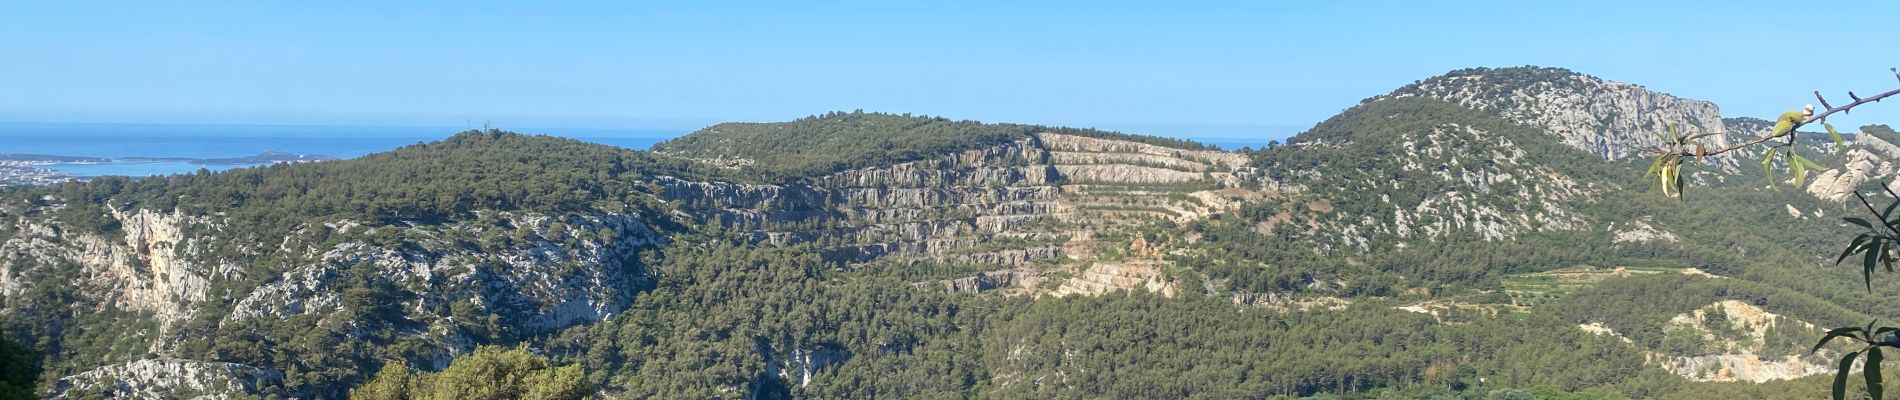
166 149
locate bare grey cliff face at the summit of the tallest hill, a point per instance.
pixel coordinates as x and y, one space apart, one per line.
1612 120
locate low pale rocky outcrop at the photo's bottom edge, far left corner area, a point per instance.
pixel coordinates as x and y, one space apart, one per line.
164 378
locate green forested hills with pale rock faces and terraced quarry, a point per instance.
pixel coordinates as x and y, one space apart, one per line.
1462 238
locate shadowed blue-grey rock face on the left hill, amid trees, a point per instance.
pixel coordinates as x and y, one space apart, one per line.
567 270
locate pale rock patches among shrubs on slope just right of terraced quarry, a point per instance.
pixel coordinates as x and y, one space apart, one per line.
1496 194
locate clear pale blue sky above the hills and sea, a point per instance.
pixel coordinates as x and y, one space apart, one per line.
1187 69
